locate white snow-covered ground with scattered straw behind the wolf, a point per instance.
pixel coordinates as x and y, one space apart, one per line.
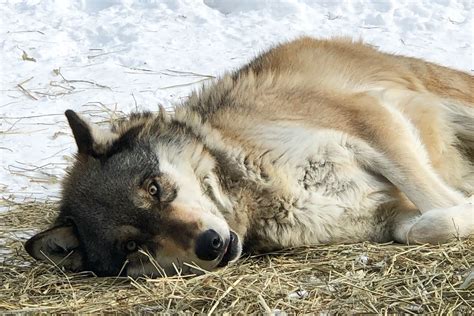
107 57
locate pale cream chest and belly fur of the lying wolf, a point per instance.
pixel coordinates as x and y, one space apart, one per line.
319 192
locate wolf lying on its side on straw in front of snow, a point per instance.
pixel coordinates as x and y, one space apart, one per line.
314 141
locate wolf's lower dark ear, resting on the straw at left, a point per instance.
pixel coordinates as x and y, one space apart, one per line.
58 245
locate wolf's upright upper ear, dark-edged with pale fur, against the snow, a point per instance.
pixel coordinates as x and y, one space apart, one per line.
90 140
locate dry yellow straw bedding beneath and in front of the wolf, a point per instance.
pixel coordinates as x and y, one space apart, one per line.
344 278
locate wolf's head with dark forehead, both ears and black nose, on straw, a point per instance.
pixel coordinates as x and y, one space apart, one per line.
141 199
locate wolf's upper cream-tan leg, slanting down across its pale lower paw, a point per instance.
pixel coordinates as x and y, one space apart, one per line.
396 152
